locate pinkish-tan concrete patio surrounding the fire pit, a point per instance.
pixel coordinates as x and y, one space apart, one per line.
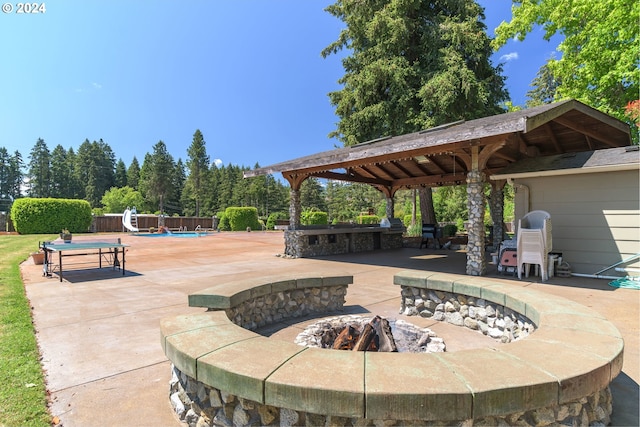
99 332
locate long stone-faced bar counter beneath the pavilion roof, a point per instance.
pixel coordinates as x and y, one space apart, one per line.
340 239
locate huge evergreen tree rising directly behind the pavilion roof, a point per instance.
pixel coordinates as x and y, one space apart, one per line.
414 64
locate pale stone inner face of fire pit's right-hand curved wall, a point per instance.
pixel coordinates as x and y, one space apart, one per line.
491 319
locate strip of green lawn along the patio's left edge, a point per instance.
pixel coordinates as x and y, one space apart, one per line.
23 395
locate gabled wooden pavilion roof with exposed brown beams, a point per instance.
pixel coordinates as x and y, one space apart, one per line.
442 155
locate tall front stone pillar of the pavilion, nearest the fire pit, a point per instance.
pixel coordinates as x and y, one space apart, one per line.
476 263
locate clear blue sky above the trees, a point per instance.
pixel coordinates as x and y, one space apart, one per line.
247 73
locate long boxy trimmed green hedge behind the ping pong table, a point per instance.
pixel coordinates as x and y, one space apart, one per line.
46 215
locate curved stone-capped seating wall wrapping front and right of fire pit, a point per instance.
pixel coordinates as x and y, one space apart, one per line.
225 374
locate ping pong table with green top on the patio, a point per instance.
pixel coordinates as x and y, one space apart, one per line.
109 252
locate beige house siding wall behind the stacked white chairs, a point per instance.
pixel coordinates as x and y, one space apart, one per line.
595 217
